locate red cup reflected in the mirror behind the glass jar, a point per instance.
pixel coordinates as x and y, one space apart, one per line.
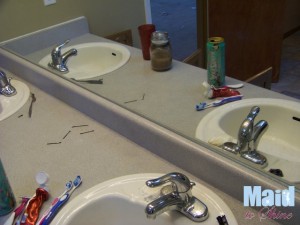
145 32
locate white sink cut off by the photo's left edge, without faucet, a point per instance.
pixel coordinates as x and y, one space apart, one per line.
10 105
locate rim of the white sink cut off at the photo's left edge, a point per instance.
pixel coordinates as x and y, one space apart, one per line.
21 98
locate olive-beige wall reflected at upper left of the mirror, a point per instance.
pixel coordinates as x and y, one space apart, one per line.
18 17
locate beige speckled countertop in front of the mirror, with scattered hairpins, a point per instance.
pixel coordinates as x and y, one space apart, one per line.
97 156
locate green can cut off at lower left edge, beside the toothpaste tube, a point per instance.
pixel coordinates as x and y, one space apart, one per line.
7 199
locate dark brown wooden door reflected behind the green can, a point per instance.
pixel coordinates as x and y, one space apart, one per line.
253 33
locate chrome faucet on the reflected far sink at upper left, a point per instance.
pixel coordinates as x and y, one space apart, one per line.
59 60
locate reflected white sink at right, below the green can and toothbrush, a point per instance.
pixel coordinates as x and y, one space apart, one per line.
280 143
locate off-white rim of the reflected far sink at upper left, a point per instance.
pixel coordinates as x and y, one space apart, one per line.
80 75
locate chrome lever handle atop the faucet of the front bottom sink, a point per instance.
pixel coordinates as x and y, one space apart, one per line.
180 181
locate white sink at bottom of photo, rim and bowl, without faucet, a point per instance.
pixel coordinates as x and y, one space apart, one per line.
123 201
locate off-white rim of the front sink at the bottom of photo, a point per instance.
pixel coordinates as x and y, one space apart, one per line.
138 194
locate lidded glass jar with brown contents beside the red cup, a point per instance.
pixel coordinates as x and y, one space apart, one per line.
160 51
